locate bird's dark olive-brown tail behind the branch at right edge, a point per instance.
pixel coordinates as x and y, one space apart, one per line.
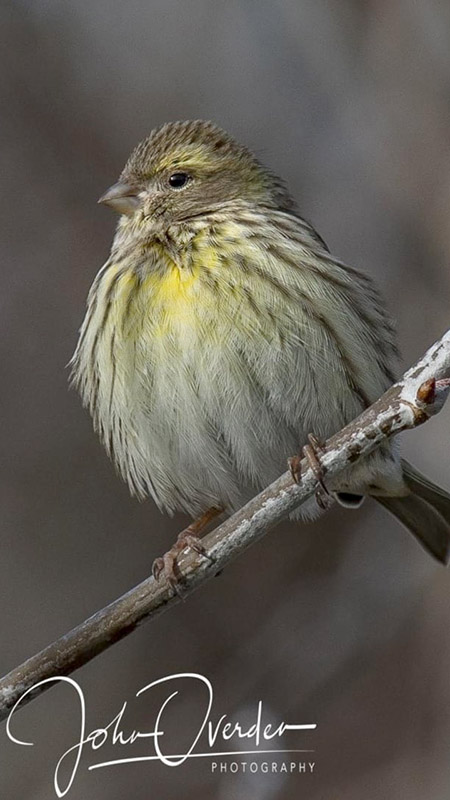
425 512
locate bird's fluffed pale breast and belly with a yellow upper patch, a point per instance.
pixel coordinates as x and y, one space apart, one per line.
201 388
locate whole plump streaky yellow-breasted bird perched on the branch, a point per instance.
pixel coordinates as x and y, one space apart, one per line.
221 336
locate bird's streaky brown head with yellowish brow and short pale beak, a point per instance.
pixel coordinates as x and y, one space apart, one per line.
186 169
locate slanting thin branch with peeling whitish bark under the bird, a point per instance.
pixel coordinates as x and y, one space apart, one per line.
420 394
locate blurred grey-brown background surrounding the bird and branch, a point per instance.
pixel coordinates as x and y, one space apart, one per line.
344 622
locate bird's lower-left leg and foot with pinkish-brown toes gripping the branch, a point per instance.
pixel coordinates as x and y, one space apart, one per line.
167 565
